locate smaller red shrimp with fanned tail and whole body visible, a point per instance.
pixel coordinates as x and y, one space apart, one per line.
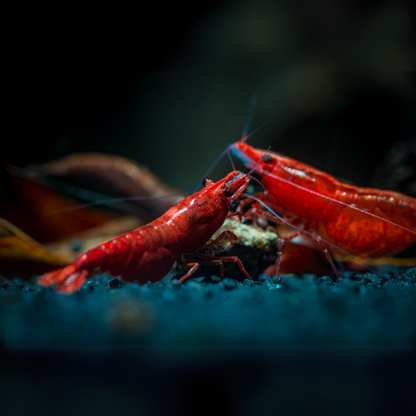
149 252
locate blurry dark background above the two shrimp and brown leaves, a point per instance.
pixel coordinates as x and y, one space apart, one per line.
339 76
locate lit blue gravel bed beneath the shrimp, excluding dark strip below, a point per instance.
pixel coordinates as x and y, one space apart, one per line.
361 310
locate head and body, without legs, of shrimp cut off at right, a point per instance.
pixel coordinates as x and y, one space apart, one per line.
316 202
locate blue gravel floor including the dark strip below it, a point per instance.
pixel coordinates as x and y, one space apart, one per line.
279 346
